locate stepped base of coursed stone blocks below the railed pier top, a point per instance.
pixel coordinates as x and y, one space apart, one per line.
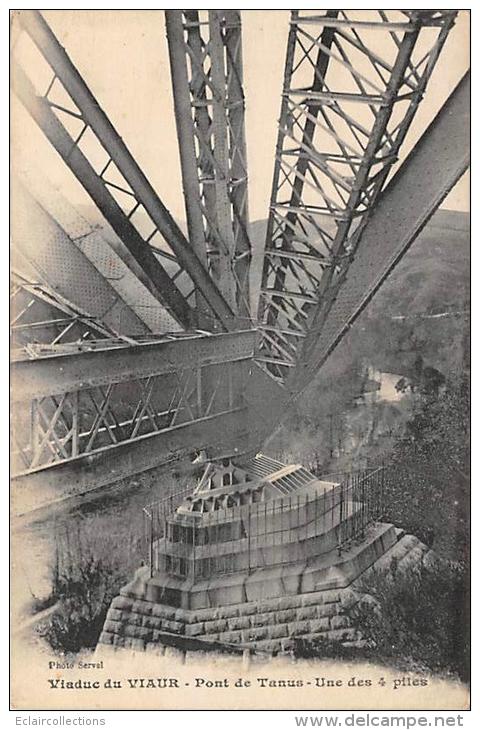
264 611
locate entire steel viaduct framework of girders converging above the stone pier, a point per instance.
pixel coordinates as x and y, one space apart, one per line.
113 375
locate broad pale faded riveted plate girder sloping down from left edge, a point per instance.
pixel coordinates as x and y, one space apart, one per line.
65 267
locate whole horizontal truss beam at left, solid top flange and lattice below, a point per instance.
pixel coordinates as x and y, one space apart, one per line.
72 406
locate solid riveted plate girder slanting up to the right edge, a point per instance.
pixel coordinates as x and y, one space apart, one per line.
430 171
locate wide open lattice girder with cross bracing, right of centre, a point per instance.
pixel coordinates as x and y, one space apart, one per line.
351 89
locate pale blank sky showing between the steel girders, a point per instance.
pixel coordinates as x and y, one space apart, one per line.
122 56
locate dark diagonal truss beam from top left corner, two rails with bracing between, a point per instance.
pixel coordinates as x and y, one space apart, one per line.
161 257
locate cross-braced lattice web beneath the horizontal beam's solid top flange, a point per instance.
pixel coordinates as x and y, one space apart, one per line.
62 426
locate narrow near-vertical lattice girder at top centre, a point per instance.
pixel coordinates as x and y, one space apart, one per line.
207 77
